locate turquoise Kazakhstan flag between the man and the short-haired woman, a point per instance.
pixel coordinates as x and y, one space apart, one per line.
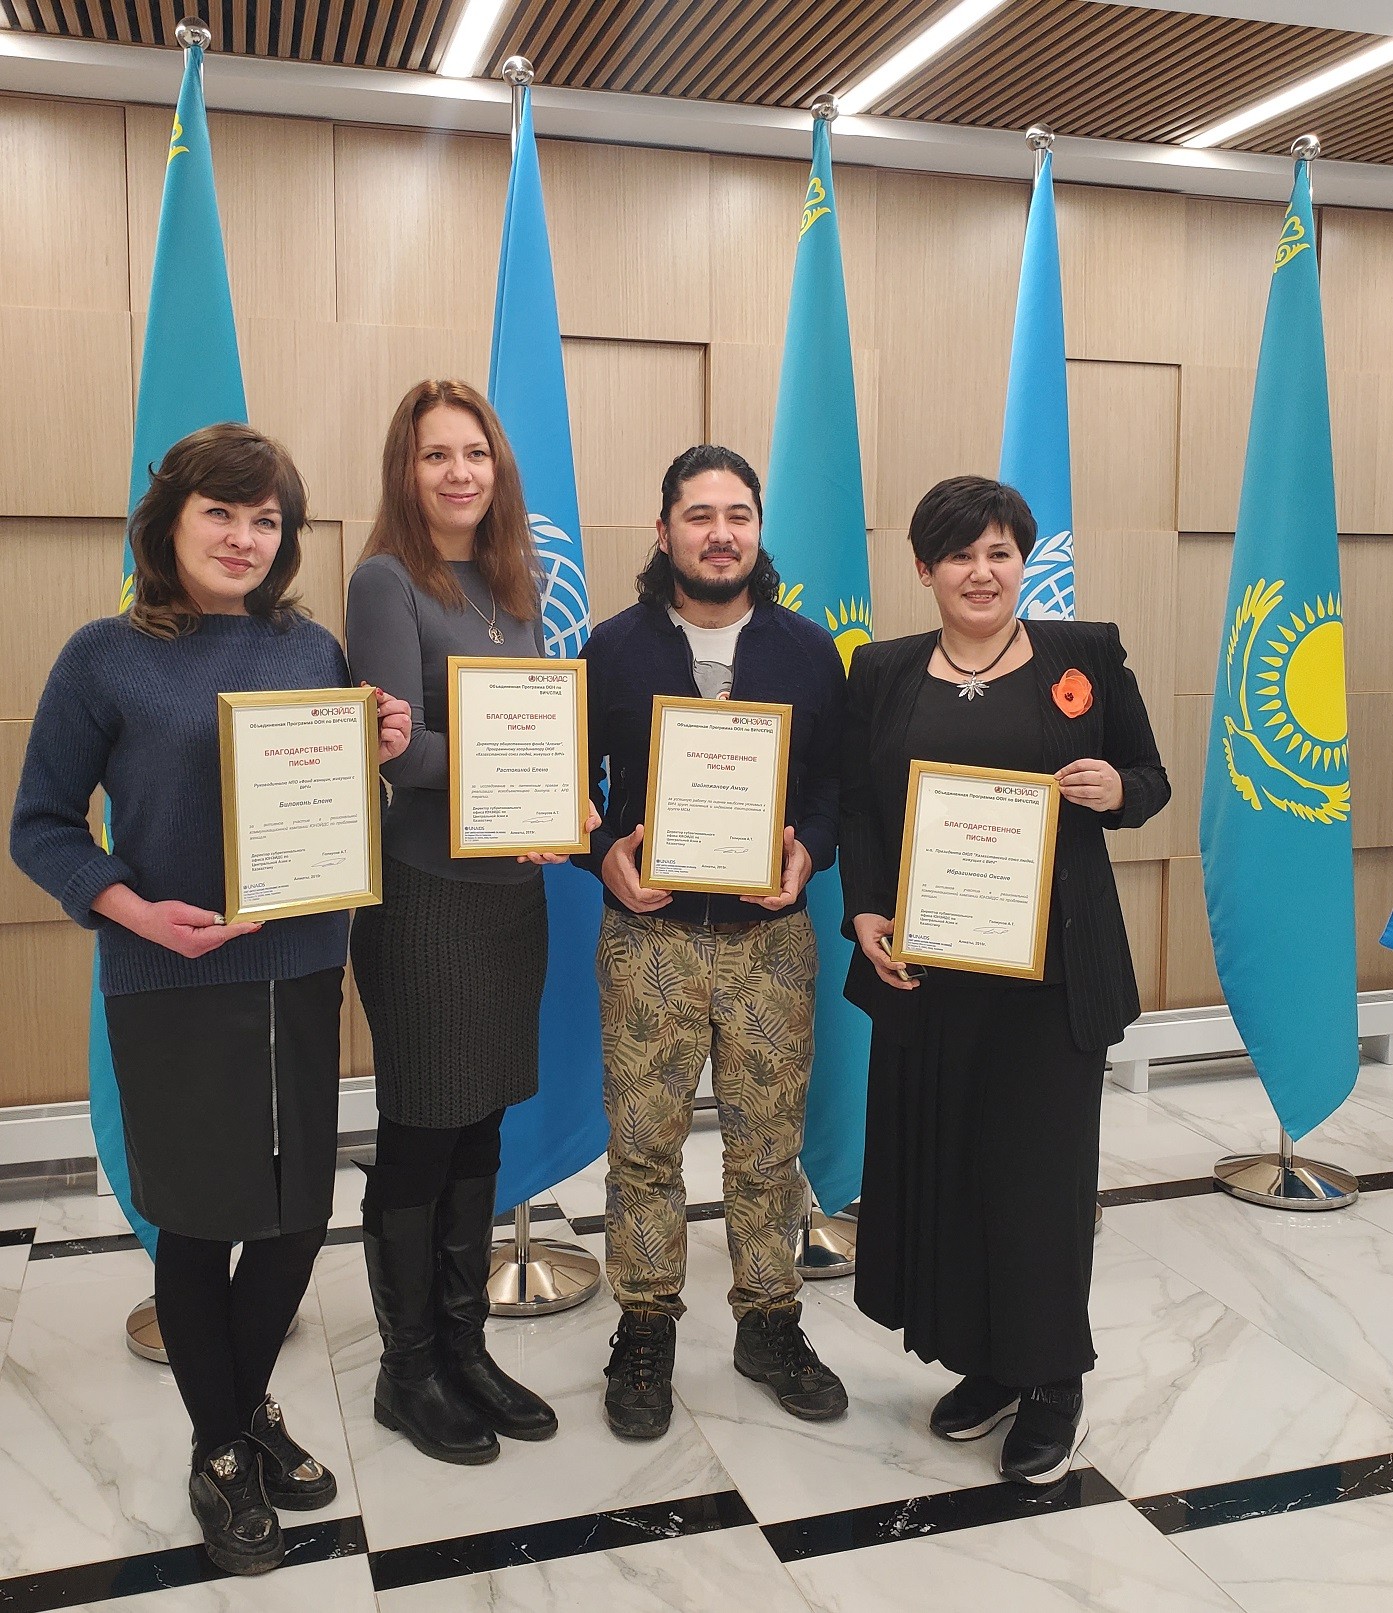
815 528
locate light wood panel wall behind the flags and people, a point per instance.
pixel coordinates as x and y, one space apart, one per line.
365 259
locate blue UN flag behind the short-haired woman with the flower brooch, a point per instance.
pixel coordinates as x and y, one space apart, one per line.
1036 436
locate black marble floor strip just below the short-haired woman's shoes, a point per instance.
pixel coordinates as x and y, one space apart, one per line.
862 1527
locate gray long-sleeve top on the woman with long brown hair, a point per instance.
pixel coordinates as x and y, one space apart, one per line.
401 640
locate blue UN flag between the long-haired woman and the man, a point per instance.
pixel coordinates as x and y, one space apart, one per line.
562 1128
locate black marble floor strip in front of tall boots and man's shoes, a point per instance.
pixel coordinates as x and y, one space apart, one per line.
543 1543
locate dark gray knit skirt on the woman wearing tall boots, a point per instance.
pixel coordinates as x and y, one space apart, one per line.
451 975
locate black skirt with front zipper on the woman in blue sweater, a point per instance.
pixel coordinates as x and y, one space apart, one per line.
230 1101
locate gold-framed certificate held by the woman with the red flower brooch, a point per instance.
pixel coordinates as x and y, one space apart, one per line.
976 870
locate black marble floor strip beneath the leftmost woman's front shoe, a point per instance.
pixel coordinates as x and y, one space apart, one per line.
180 1565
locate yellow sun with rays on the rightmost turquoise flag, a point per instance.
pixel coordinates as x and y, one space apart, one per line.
1302 688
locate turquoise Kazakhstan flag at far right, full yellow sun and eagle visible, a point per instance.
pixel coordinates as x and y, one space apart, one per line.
1274 828
